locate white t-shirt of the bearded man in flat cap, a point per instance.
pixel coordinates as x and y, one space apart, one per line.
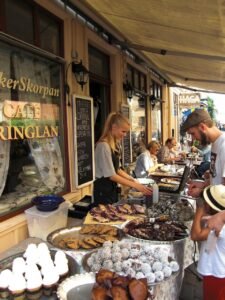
217 166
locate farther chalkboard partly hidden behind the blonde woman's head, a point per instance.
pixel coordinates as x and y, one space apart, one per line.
127 150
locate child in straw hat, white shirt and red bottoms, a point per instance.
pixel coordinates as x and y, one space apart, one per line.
211 264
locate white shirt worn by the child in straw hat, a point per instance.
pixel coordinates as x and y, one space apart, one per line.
213 263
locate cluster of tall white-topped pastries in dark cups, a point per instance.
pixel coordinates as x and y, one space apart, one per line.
37 269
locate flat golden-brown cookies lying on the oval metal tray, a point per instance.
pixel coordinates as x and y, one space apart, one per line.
88 237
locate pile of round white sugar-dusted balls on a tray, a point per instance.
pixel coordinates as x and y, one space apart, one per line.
137 260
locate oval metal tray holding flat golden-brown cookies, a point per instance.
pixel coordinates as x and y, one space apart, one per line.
72 239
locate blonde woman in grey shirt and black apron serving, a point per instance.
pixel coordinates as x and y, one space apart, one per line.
107 162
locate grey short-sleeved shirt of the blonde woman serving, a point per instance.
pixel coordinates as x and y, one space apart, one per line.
103 161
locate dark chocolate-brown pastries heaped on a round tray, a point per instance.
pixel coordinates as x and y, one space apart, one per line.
156 230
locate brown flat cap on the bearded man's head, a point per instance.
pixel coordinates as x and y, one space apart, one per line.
196 117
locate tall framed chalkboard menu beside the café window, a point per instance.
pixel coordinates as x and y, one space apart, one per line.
83 140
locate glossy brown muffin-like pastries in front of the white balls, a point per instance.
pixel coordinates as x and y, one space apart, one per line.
110 285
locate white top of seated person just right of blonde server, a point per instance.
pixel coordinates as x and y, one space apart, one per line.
143 164
